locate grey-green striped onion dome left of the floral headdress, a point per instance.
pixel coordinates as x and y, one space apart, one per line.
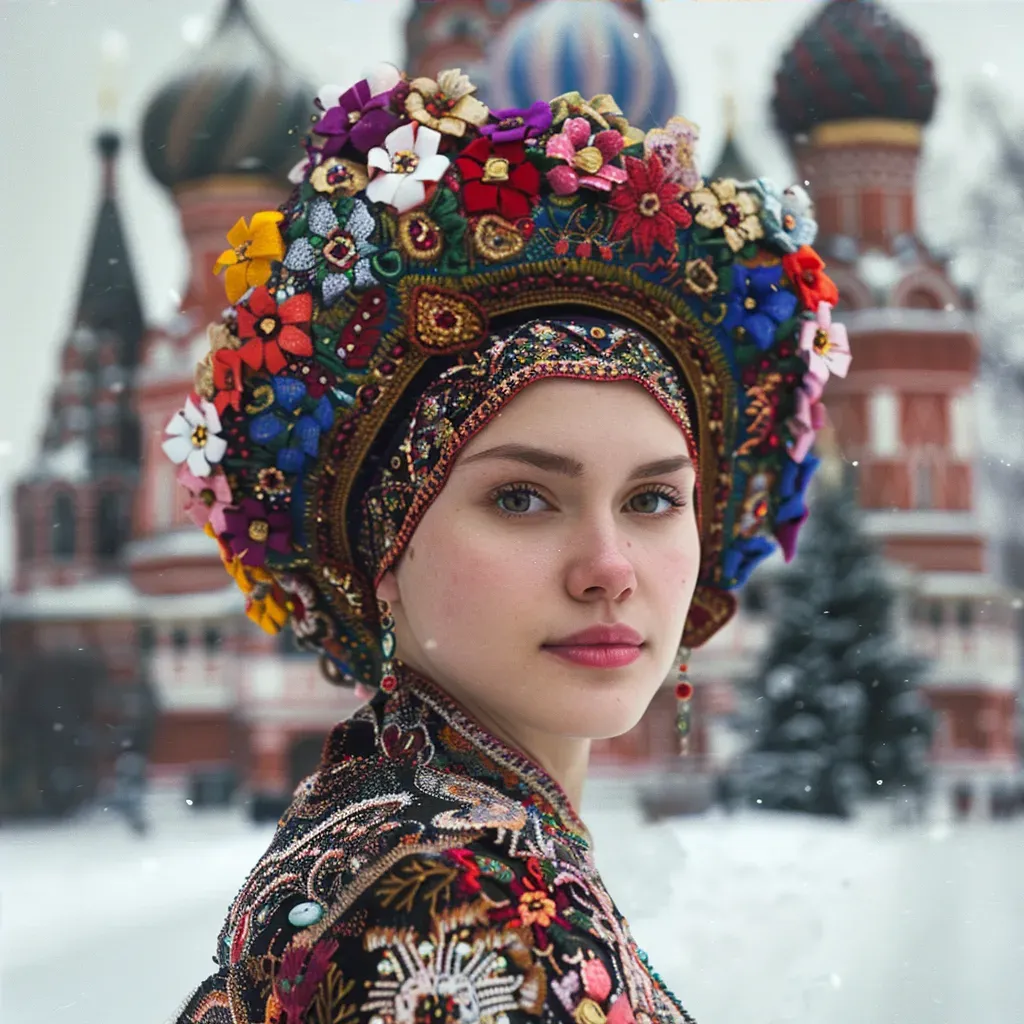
237 109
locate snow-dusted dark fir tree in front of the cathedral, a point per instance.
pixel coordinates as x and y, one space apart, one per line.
840 708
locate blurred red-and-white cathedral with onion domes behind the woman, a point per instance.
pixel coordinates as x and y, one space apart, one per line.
109 564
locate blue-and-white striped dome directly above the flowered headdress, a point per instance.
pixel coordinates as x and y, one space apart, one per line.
590 47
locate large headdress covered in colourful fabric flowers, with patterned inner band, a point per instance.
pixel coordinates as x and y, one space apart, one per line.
365 343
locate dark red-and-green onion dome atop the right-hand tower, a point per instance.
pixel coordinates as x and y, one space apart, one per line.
854 62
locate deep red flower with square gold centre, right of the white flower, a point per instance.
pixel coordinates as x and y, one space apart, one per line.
498 180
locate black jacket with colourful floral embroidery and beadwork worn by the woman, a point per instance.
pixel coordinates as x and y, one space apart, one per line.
428 873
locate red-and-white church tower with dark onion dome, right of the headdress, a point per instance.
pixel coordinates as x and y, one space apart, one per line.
854 97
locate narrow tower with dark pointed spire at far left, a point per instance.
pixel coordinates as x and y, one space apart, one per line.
73 509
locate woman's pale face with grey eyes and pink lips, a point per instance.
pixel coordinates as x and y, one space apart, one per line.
573 510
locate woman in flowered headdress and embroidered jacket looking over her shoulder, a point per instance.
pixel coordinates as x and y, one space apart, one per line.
508 404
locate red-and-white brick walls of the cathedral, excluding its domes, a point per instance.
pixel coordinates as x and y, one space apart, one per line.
234 697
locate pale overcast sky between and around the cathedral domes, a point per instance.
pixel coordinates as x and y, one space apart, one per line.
51 59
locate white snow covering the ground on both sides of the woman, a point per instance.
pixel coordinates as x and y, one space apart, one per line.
753 920
